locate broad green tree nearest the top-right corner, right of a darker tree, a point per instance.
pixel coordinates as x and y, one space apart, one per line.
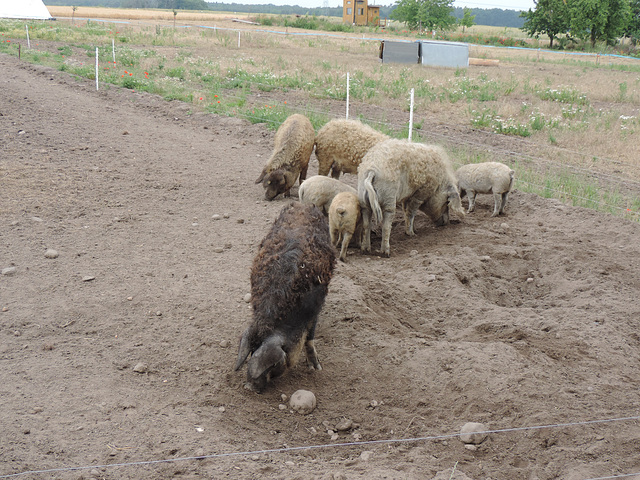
600 19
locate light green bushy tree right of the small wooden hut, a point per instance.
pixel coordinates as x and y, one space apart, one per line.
425 14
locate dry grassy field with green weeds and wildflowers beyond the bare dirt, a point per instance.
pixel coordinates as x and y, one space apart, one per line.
569 123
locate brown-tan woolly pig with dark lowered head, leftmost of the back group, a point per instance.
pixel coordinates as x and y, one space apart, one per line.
293 145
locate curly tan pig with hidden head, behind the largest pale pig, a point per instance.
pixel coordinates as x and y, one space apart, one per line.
341 144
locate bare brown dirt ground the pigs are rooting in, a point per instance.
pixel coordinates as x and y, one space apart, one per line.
117 355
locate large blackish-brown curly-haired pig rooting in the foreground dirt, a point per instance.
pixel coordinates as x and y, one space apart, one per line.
289 281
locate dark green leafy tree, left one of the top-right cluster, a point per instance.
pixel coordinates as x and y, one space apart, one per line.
550 18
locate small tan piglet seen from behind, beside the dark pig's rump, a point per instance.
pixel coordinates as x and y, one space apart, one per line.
345 221
